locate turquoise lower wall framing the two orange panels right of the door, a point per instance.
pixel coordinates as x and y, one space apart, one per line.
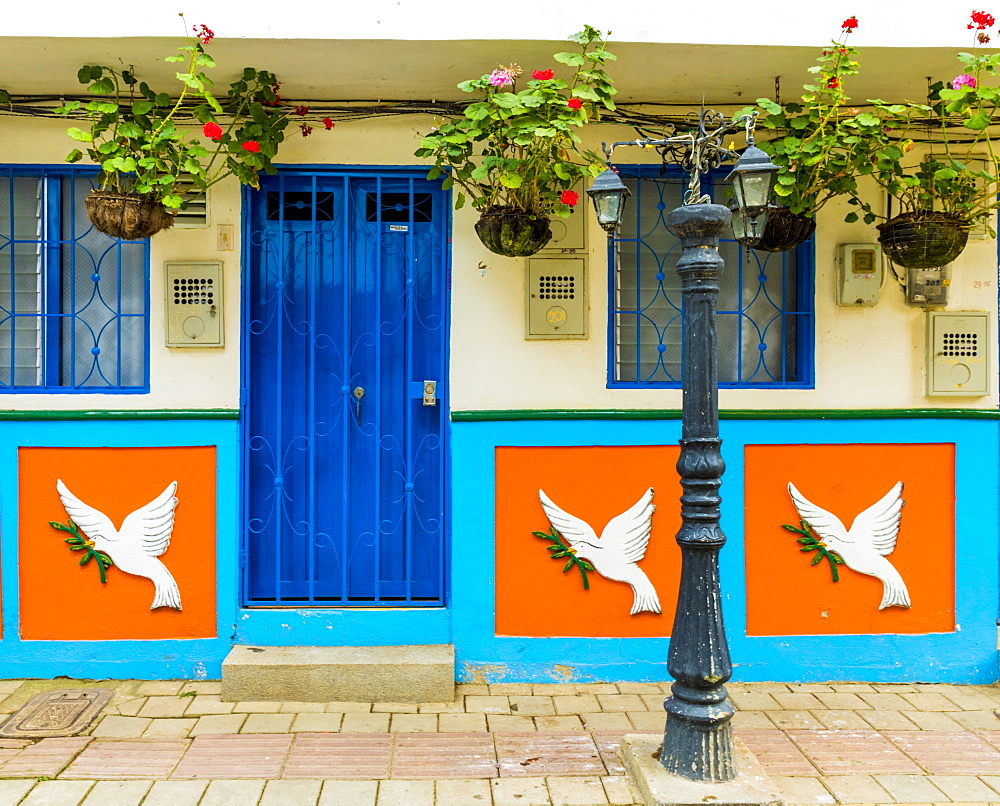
967 655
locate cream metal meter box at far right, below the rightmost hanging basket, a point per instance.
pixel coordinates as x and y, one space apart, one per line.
958 353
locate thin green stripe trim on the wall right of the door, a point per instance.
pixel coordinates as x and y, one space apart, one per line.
502 415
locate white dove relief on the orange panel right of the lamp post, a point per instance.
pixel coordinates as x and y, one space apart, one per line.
870 539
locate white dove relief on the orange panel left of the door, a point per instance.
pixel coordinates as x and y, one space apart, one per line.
144 536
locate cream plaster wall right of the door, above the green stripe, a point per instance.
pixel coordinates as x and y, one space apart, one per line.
865 357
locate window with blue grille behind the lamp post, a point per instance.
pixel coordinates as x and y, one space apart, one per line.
765 312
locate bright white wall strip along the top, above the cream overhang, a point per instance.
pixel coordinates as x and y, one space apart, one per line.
770 22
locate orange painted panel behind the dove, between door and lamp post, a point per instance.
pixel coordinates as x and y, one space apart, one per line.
533 596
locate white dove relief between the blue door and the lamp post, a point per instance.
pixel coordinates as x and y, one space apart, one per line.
622 544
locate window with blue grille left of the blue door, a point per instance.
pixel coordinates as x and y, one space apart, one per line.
74 303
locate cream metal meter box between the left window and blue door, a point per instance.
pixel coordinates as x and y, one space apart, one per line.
194 309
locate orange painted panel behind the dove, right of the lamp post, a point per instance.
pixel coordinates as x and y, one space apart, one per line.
787 596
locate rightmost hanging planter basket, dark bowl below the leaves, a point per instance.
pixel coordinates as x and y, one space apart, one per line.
924 239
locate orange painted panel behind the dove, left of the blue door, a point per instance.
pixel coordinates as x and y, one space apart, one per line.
60 600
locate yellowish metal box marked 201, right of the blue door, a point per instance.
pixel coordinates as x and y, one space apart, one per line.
557 298
